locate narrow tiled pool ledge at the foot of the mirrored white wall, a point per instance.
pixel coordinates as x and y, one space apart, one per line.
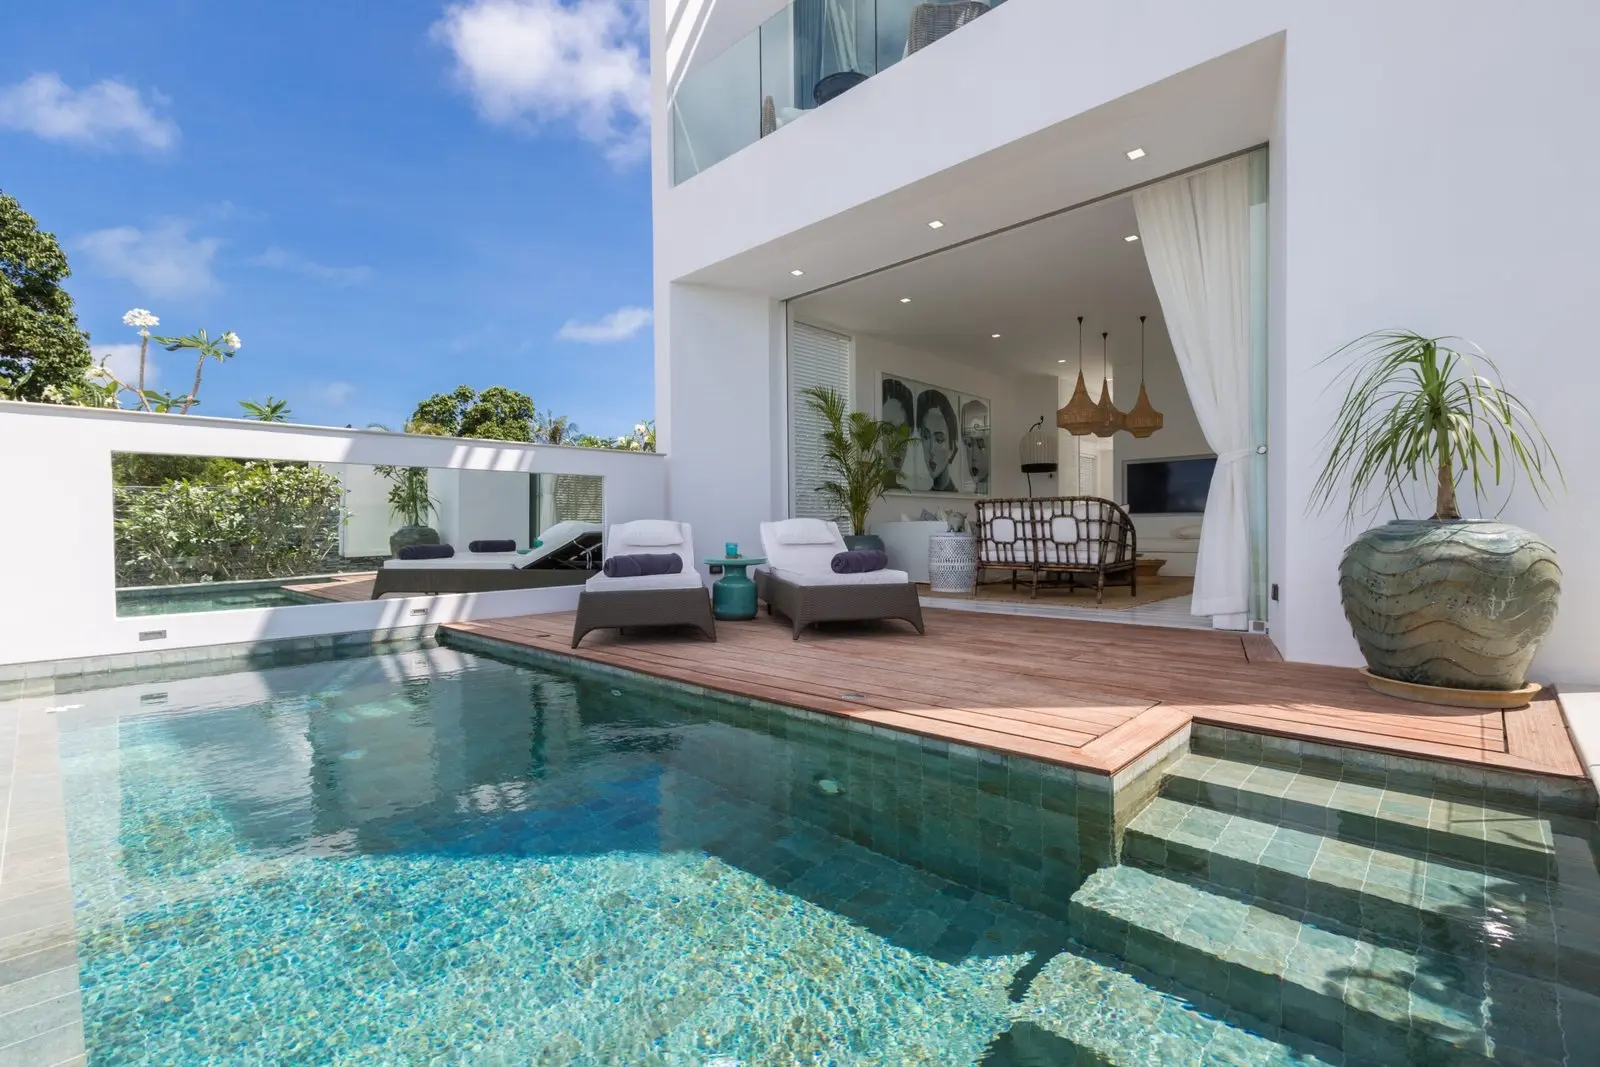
161 665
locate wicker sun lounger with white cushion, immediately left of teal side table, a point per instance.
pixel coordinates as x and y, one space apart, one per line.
623 604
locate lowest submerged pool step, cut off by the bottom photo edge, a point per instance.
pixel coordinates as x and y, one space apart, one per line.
1111 1017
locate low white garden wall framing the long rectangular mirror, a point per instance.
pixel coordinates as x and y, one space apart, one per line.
57 543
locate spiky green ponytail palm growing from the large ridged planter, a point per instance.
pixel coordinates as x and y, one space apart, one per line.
1420 410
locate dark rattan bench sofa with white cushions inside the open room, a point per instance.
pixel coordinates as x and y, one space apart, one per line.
1082 540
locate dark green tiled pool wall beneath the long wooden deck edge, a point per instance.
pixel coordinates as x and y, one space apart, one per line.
1009 826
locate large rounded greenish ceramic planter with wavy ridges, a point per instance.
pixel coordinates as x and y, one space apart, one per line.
1460 605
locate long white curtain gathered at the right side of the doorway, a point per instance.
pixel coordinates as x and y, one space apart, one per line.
1196 236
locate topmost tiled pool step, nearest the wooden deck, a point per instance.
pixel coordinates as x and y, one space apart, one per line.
1367 809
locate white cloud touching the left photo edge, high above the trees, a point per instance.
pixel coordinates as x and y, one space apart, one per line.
103 116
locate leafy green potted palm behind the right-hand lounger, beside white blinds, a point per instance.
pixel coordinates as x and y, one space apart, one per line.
857 457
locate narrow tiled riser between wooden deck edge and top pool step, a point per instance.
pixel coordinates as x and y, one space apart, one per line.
1566 796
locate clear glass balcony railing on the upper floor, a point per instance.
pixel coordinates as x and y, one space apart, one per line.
796 62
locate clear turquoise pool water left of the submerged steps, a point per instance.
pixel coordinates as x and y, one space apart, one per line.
428 855
